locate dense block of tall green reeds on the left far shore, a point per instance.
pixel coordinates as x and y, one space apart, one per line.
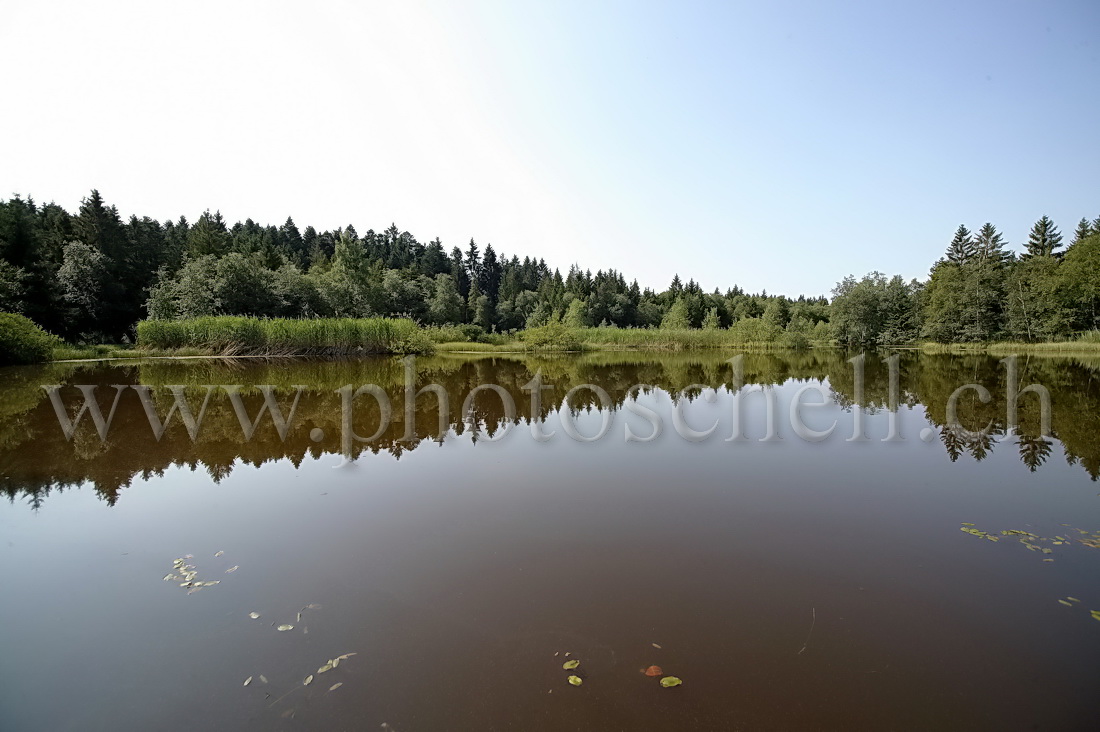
233 336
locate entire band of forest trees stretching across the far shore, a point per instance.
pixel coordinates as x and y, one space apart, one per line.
91 277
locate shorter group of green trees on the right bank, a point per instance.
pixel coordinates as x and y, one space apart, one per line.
982 291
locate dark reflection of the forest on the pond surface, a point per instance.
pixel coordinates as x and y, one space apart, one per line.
36 457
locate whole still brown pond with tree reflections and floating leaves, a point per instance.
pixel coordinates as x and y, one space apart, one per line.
793 585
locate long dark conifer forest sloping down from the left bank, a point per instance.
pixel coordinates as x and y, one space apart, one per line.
91 276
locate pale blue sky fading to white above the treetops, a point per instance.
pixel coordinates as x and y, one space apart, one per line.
775 146
